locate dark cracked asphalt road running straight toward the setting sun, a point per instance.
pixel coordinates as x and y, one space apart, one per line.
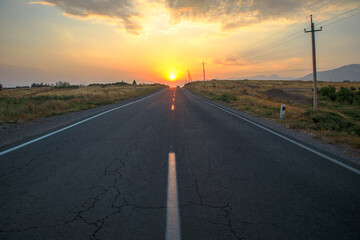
107 178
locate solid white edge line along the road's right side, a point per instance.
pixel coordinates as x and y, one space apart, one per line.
283 137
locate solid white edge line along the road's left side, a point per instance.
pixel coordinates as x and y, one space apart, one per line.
73 125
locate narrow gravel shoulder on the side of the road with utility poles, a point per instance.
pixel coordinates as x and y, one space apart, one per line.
339 151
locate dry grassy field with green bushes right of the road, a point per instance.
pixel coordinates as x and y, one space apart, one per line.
336 121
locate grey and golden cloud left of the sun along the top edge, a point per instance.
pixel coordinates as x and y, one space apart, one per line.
120 12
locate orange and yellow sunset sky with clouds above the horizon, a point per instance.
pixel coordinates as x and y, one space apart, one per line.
87 41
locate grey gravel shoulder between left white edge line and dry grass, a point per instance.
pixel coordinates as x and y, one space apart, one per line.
12 134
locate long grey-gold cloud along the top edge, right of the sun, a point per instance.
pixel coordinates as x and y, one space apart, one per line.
237 13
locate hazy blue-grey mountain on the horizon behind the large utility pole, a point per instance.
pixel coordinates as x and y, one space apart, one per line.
347 72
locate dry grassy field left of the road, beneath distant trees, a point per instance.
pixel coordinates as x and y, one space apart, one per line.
24 104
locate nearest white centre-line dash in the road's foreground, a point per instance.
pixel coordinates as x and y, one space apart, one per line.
172 209
